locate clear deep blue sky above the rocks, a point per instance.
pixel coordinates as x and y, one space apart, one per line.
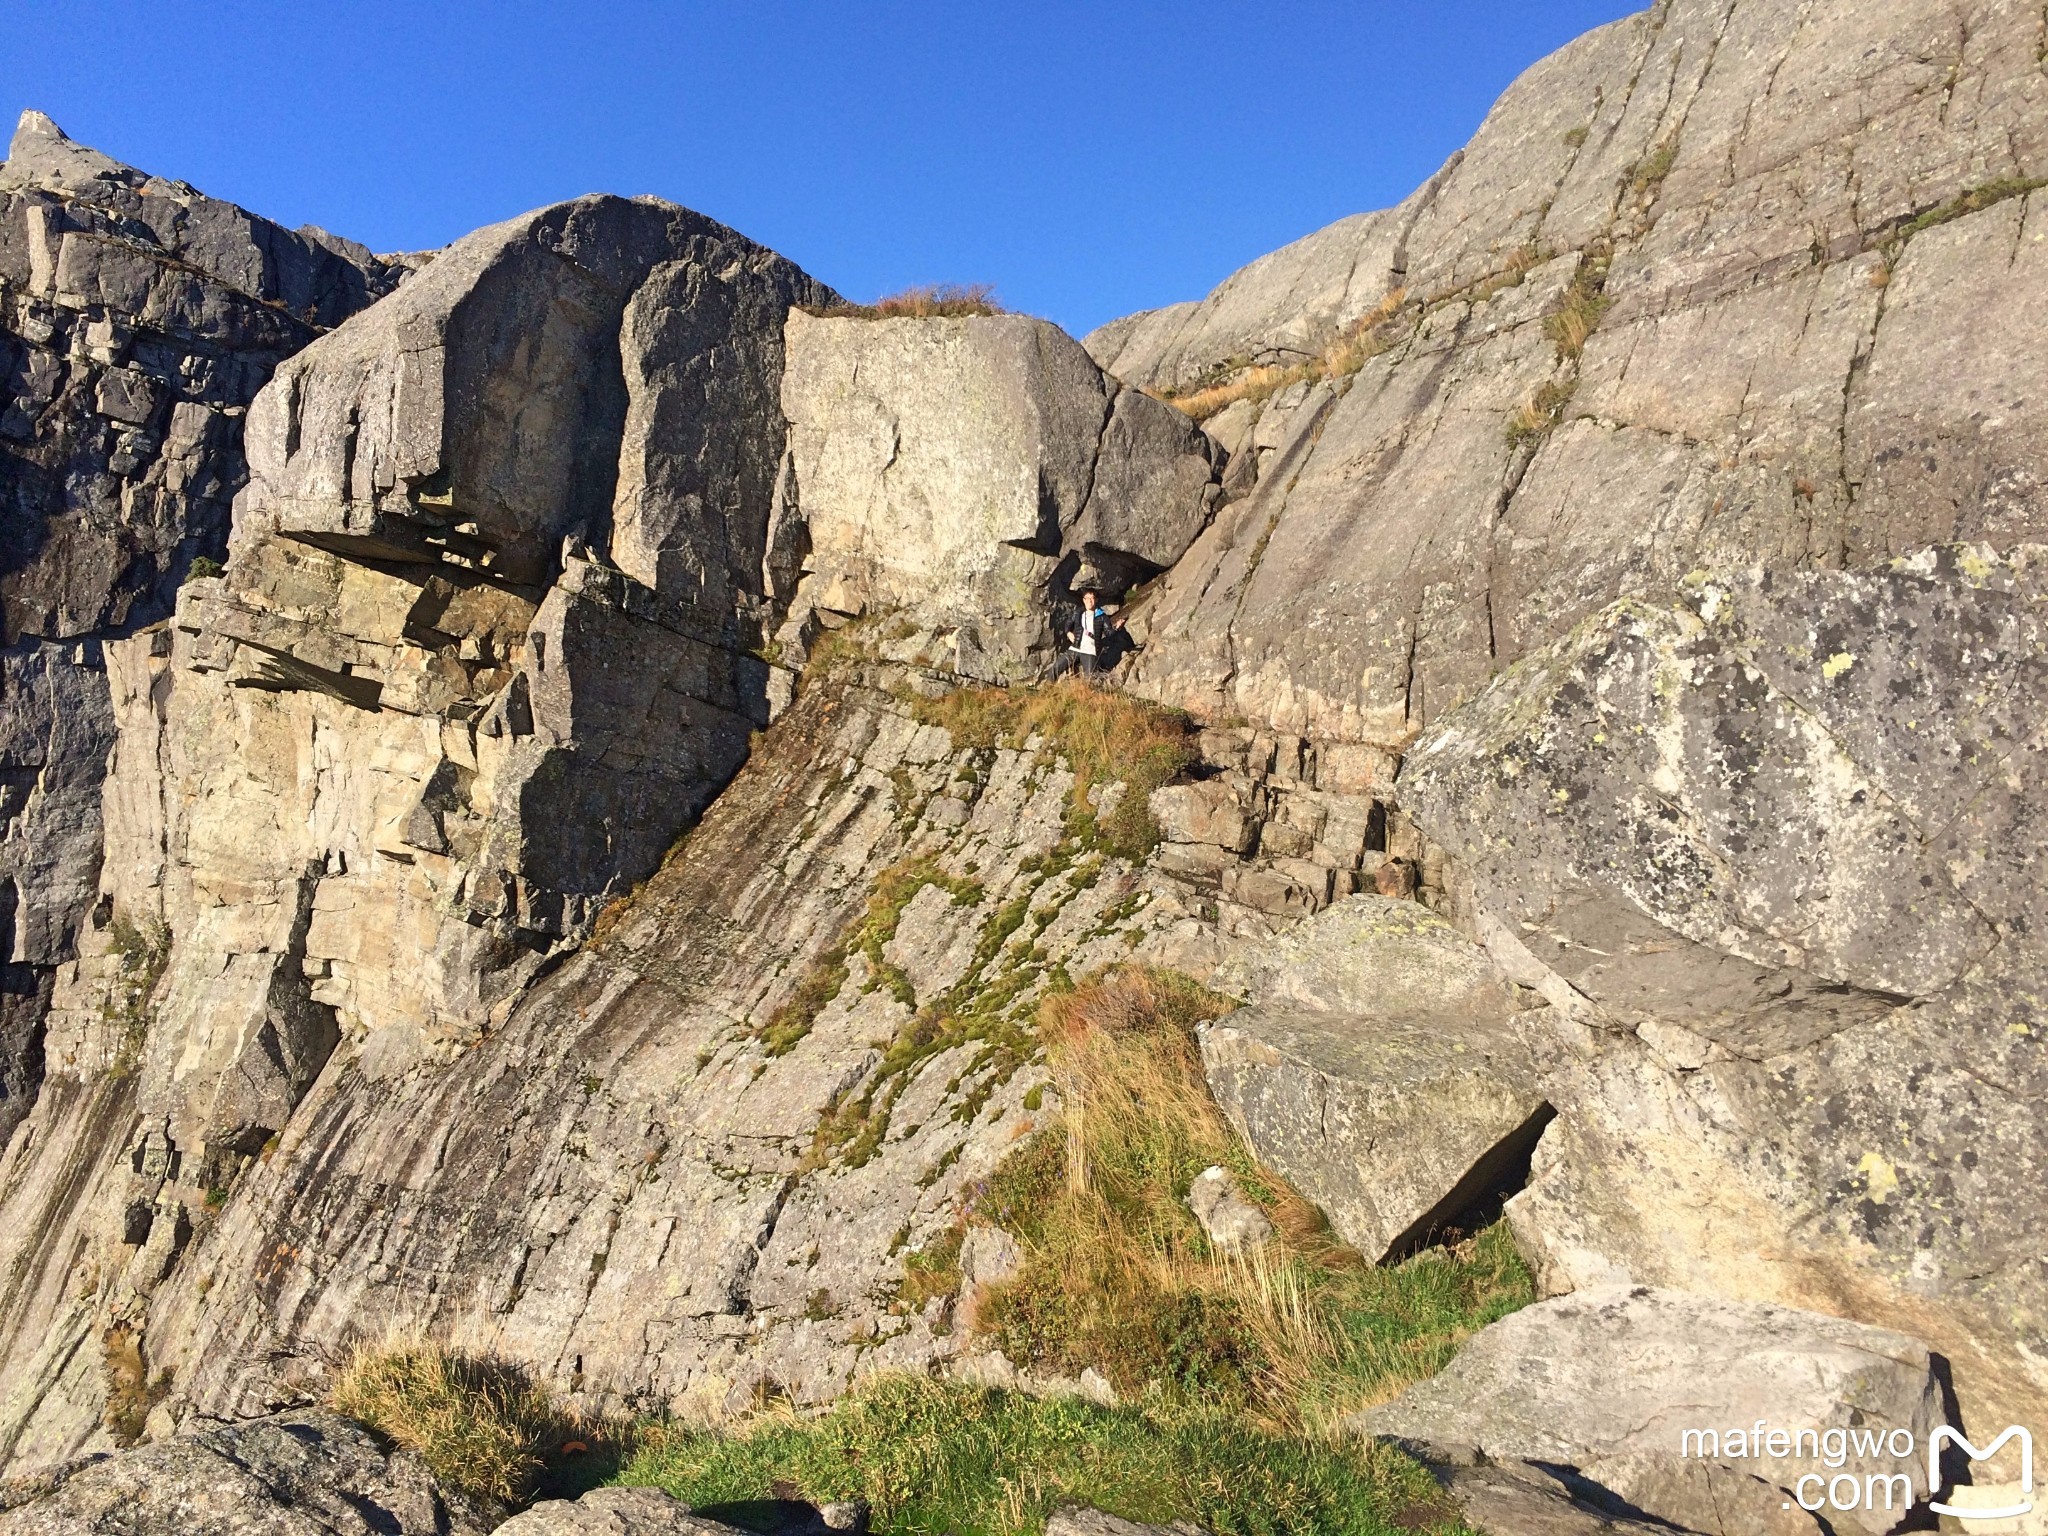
1084 157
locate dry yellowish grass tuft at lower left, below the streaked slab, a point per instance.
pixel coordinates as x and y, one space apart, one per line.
482 1426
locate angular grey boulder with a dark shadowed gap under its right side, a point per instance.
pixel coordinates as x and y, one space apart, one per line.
1381 1068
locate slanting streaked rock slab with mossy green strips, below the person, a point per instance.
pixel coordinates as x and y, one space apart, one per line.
693 1160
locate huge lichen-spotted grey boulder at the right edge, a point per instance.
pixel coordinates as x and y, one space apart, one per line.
1773 857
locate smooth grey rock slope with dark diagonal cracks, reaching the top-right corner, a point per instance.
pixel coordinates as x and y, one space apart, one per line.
1719 284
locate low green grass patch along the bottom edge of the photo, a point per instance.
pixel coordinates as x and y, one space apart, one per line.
933 1459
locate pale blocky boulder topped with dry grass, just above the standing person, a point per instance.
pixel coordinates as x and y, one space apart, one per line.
970 470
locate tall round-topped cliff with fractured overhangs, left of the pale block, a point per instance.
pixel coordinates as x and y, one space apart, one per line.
425 726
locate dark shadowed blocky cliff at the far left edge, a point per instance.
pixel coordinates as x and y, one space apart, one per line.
138 321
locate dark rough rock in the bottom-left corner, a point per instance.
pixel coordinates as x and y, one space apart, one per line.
292 1476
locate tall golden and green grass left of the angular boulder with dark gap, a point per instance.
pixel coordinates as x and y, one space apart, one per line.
1119 1275
